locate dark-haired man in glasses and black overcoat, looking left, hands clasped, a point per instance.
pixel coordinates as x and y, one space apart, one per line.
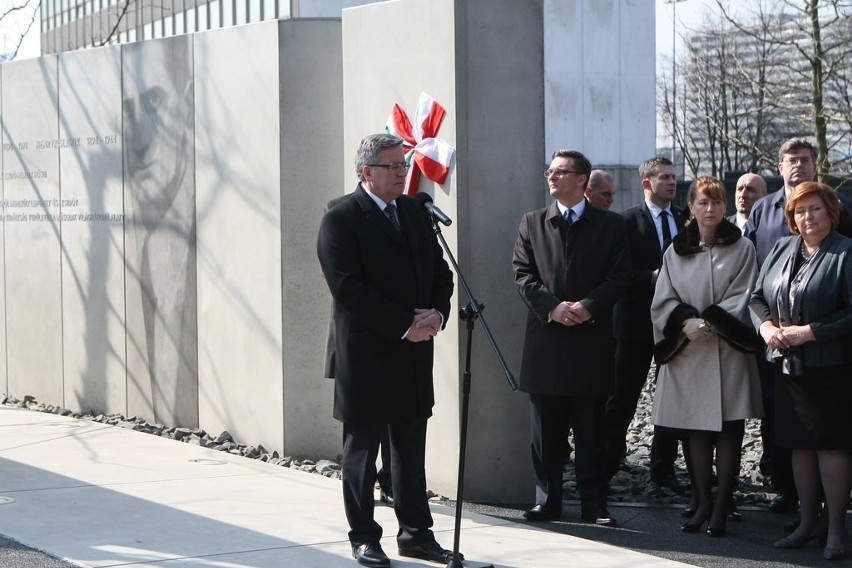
571 264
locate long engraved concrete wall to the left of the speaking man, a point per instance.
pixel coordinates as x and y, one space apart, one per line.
160 204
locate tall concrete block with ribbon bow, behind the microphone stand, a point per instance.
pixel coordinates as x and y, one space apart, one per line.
482 61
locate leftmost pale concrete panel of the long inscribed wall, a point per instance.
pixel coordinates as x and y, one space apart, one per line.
32 234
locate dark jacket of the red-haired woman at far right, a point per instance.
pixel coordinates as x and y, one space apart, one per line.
826 300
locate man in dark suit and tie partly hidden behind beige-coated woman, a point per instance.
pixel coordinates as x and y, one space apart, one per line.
650 227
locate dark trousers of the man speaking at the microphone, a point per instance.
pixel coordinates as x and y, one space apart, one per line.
408 474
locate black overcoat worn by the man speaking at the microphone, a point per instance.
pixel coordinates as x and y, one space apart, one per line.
377 277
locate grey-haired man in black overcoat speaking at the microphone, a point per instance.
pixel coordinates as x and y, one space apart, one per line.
391 289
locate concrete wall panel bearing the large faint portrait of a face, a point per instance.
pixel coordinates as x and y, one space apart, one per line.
159 133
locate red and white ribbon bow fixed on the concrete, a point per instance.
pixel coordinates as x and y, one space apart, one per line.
423 151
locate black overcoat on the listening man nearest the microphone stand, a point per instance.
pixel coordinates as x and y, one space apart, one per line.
587 262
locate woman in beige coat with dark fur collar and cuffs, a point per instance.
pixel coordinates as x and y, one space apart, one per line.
707 382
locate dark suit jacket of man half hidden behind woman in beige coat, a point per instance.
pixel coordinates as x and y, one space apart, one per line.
632 315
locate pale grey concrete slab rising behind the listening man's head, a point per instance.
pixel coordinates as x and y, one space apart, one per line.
600 86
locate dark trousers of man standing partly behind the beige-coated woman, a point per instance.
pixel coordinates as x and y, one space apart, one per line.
632 362
